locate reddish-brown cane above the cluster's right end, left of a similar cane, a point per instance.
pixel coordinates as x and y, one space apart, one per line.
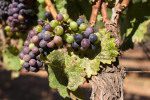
95 9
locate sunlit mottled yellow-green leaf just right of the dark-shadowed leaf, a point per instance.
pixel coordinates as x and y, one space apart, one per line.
75 71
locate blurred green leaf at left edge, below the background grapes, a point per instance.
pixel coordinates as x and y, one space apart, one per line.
11 59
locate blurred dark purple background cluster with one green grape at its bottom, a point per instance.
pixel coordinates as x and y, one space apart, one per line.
19 16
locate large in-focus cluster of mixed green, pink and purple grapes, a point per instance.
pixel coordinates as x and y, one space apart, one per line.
47 36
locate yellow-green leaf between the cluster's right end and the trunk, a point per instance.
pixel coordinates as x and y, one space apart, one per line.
109 51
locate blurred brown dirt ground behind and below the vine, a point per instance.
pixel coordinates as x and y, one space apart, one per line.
35 86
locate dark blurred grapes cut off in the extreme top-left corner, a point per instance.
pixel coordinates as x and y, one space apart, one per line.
4 9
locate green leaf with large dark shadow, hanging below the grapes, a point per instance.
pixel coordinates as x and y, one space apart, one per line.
57 77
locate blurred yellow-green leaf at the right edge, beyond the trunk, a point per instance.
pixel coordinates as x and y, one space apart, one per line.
140 32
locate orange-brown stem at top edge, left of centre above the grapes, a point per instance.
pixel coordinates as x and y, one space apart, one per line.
50 8
